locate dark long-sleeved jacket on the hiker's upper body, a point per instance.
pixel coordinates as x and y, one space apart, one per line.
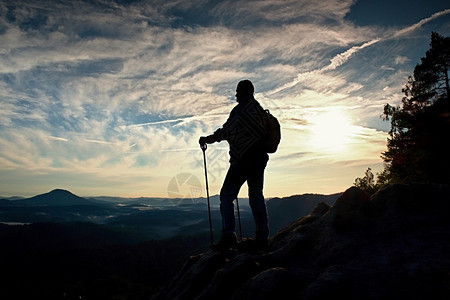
243 130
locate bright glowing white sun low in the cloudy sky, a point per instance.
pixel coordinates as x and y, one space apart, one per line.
330 131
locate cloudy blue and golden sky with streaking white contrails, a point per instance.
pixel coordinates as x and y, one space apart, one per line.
110 97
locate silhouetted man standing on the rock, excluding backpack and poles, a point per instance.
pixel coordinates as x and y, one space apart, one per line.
243 130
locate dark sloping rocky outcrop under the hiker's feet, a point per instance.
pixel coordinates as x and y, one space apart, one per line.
393 245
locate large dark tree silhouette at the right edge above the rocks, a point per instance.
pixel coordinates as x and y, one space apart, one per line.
418 147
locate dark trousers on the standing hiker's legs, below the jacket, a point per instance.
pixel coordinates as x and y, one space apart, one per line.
238 173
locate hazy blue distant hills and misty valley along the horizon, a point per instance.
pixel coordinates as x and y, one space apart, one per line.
151 217
